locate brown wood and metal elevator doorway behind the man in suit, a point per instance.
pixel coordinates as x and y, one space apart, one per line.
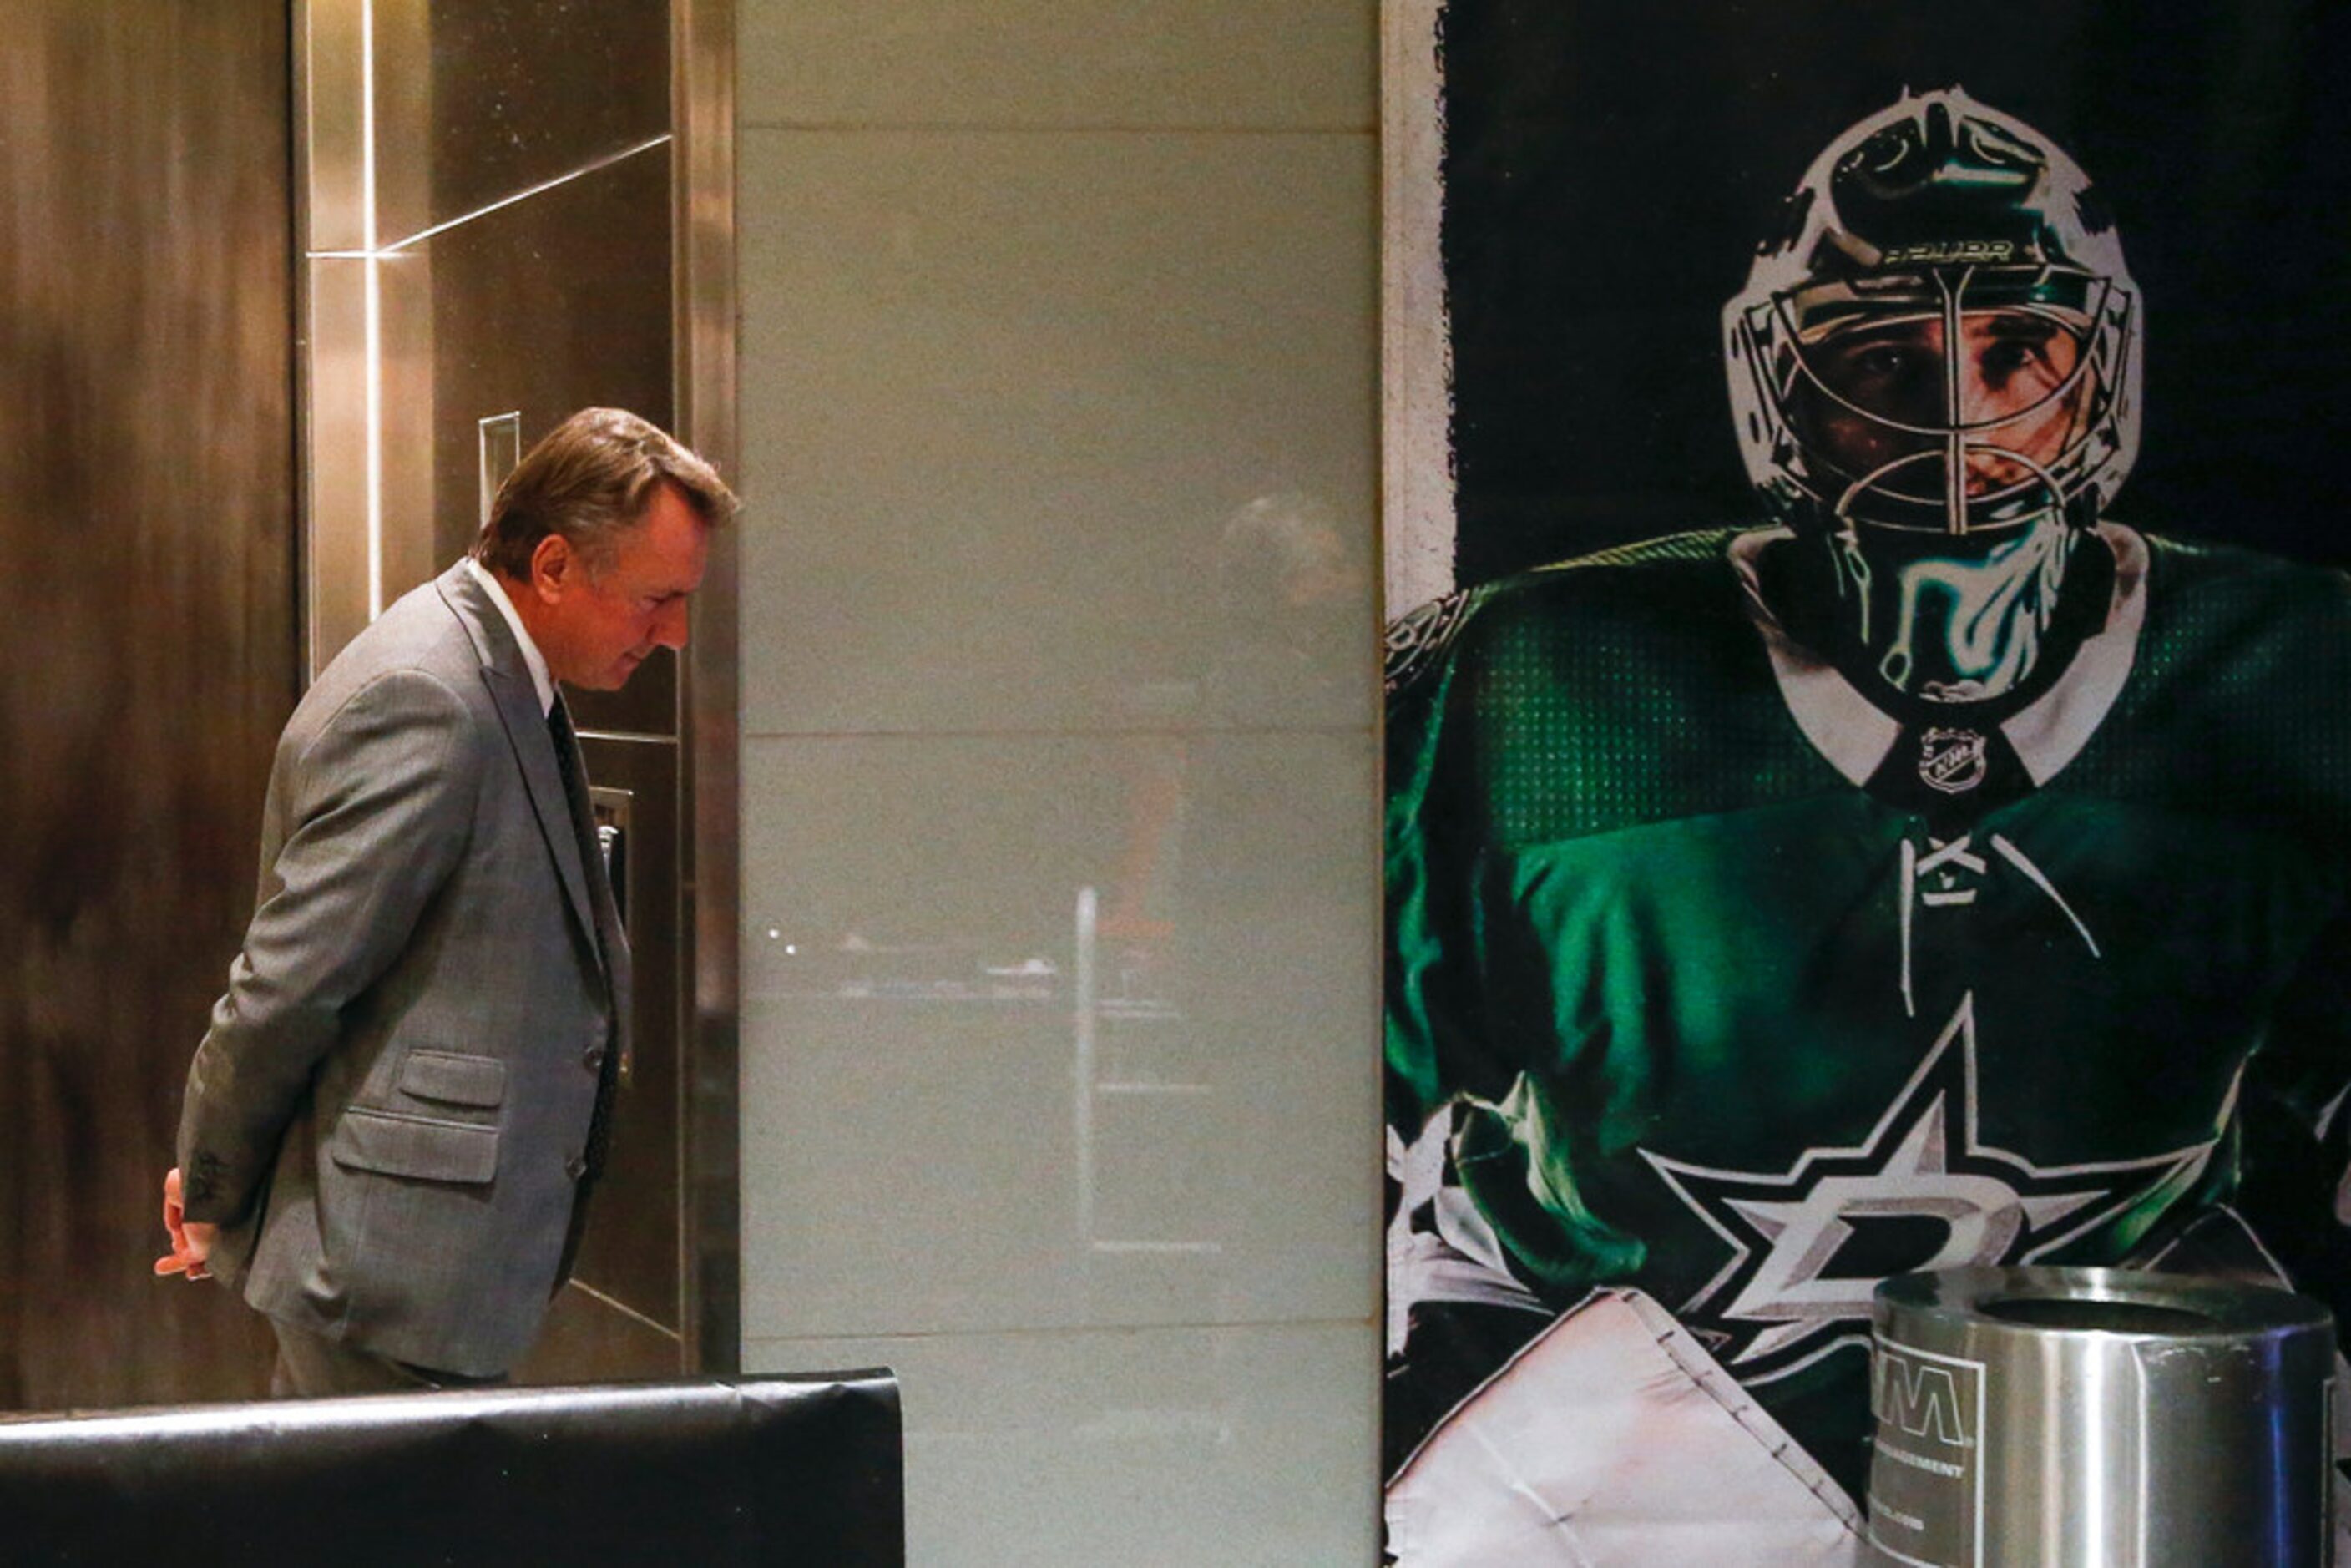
286 286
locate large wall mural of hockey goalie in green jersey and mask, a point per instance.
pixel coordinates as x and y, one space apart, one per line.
1873 789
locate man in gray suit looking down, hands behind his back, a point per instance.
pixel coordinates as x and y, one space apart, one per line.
394 1123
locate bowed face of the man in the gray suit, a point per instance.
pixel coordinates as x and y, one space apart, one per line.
598 624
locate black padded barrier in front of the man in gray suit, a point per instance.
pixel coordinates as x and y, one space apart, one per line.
685 1475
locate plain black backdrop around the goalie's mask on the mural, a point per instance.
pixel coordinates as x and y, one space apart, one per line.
1612 166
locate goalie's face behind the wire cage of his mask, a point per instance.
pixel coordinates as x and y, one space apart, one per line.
2011 387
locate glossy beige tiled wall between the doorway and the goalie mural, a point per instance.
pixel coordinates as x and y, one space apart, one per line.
1059 777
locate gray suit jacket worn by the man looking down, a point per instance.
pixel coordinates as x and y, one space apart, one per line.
391 1111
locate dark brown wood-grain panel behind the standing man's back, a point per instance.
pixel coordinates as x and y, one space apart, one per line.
147 563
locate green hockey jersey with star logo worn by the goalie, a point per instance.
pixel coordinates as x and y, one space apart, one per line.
1699 1010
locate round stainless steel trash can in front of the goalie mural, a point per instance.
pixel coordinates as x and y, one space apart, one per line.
2101 1419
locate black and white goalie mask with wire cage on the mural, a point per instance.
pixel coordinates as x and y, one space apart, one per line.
1936 375
